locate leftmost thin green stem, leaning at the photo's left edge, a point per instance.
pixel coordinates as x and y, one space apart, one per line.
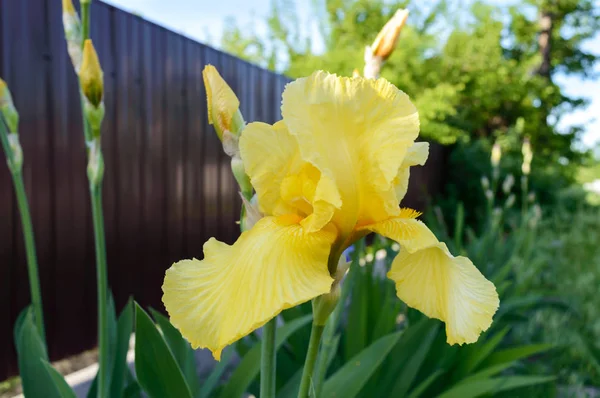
32 266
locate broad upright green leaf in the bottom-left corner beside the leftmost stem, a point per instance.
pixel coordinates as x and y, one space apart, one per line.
36 380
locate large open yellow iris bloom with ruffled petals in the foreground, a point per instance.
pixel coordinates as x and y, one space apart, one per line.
333 170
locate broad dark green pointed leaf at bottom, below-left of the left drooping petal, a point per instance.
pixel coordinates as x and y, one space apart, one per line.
157 371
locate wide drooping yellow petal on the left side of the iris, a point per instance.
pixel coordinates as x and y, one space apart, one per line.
237 289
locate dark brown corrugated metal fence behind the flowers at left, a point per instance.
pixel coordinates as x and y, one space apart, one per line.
168 185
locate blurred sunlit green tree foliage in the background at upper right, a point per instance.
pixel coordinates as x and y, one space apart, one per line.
473 69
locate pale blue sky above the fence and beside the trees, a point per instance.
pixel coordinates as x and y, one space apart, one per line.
204 20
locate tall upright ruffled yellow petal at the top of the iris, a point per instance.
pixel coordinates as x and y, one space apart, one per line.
355 131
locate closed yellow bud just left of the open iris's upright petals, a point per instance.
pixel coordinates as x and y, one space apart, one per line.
223 105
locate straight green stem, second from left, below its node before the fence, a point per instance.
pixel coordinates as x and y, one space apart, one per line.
102 286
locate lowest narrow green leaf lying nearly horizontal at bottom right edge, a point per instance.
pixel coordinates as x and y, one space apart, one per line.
479 387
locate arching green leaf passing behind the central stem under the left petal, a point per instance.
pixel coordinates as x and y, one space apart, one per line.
249 367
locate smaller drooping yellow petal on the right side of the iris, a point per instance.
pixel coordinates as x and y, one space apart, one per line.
447 288
